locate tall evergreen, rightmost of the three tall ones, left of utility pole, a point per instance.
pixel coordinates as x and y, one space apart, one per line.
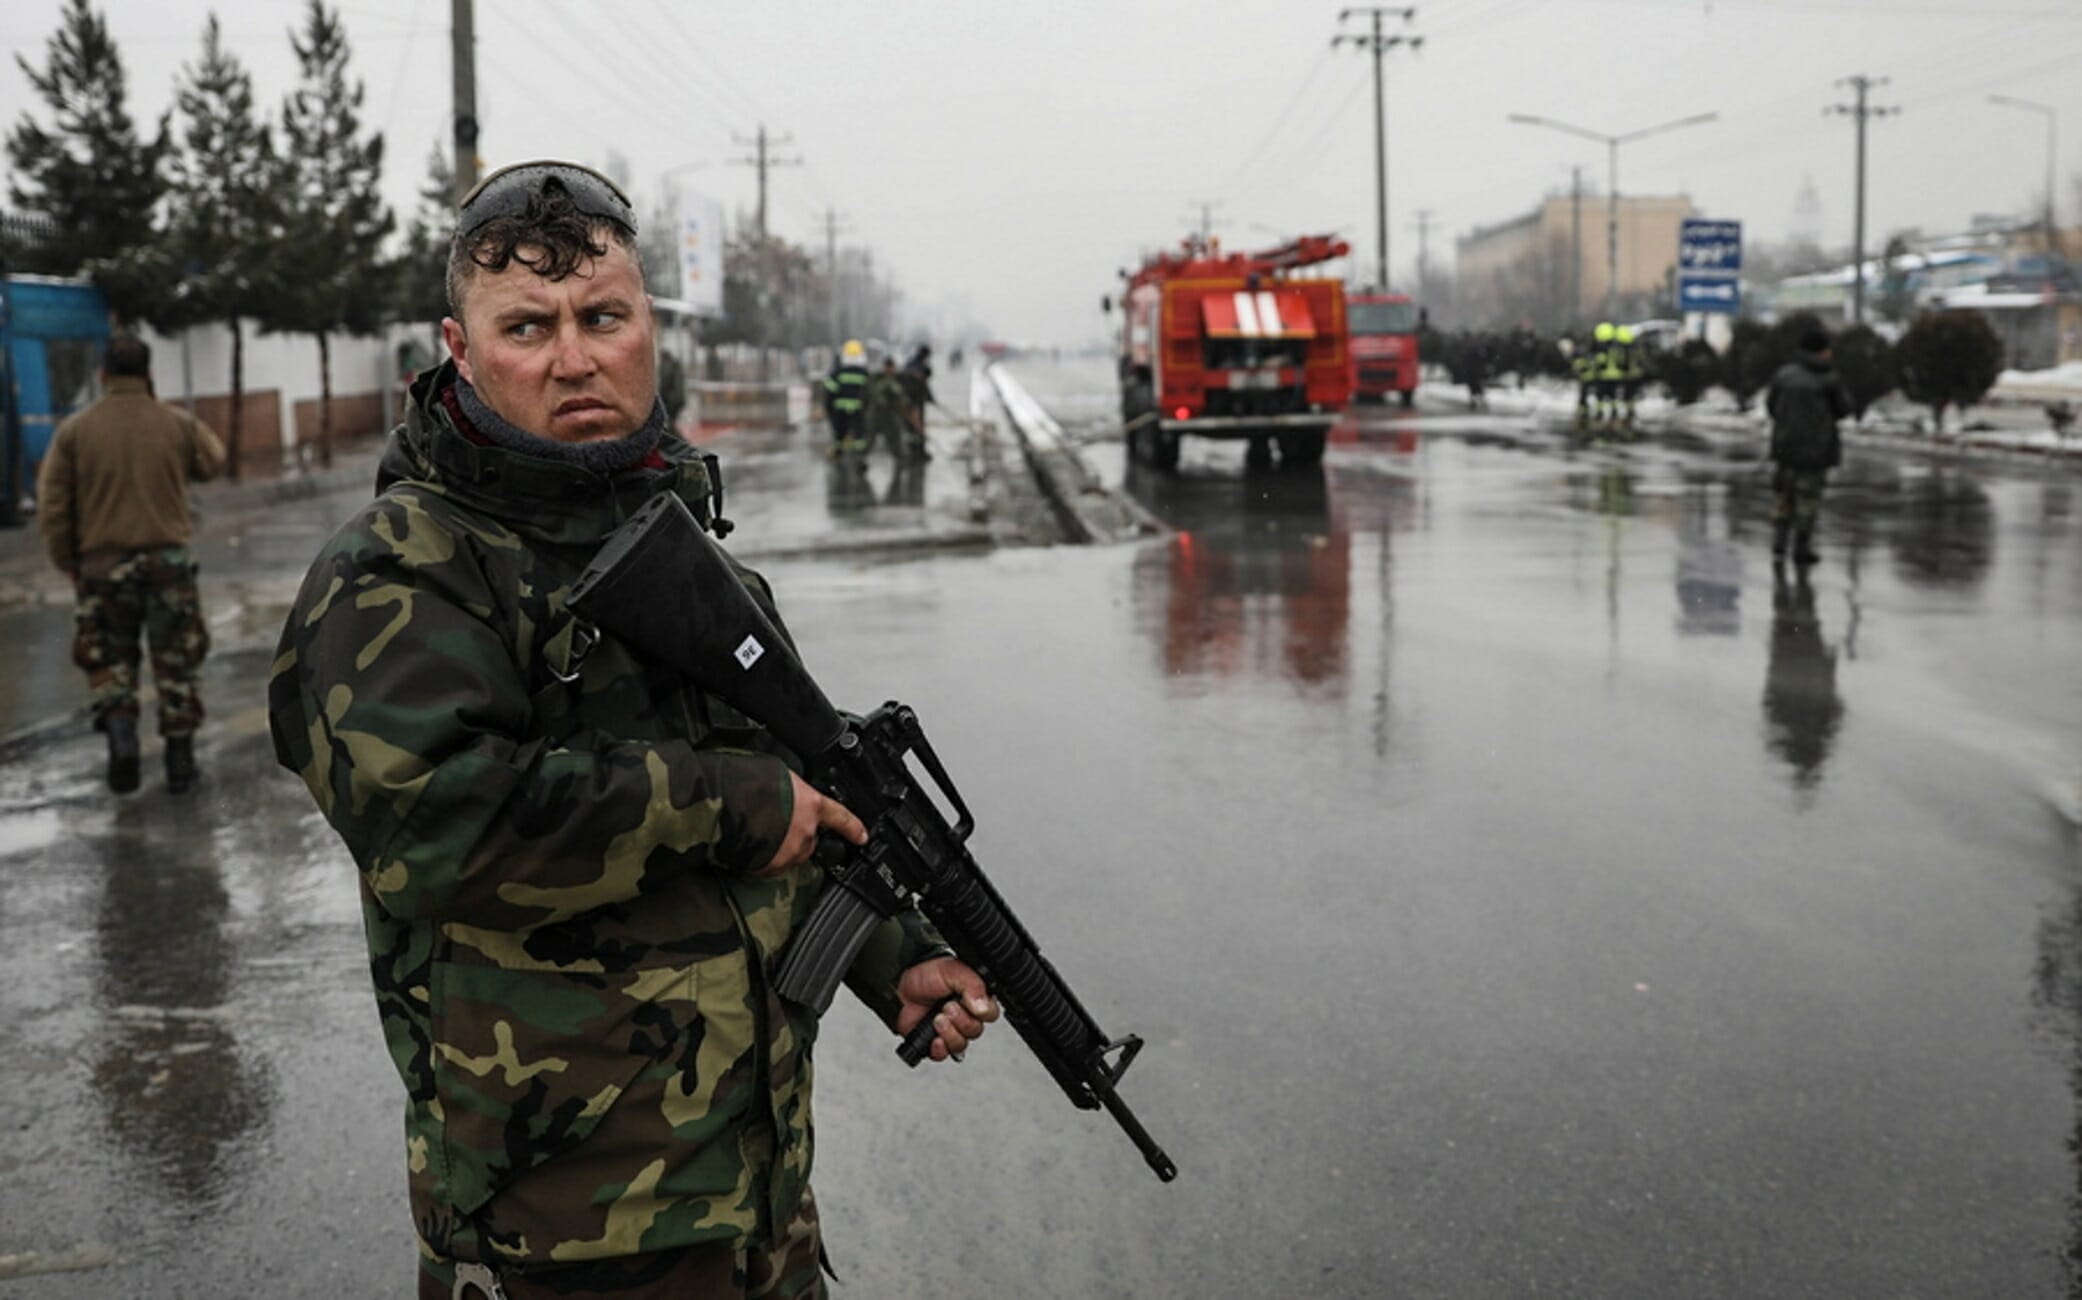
330 266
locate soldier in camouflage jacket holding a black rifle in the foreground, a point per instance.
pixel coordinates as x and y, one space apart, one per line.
576 870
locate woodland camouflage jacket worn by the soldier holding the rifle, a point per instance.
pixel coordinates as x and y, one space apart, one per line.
569 953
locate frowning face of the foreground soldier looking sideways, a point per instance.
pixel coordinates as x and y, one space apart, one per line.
565 359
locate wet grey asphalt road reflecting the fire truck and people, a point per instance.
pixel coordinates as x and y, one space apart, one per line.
1519 889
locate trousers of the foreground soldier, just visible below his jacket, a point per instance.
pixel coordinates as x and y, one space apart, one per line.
784 1270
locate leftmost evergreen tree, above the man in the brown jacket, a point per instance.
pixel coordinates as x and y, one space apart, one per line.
88 174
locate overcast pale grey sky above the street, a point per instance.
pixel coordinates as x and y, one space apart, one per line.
1009 157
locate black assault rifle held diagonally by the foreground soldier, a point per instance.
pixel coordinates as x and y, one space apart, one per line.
667 591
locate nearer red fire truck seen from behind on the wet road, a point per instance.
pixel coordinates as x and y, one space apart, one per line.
1236 345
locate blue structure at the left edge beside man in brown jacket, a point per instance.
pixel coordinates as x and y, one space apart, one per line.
51 347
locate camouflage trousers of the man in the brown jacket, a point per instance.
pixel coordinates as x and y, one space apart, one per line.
147 597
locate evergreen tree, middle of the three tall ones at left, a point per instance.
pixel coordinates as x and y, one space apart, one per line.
226 209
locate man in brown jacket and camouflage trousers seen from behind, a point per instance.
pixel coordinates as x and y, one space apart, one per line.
116 520
